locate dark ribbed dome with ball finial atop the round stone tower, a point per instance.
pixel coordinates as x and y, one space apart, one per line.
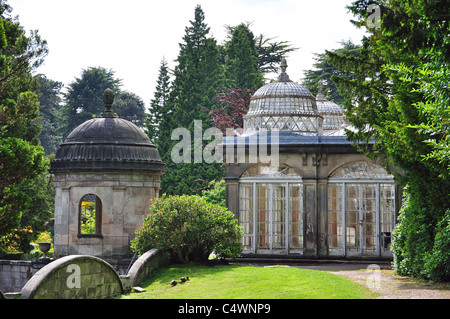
107 143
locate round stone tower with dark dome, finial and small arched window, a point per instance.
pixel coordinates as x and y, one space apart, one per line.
106 173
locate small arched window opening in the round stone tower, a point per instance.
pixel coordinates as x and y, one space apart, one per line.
90 215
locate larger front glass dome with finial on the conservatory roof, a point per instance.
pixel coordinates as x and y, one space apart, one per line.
285 106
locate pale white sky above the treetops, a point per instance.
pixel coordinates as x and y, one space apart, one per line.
131 37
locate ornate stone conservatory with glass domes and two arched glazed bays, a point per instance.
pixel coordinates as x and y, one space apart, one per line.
298 188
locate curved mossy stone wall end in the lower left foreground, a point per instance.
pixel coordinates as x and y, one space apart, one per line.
74 277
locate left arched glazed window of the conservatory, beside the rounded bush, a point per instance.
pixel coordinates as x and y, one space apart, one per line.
271 209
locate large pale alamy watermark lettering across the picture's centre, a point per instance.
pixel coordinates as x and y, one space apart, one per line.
256 148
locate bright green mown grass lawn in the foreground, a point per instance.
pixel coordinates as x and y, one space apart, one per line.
246 282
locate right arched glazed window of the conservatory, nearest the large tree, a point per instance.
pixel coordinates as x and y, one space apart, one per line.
361 210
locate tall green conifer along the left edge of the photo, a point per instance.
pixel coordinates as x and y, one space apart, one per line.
22 159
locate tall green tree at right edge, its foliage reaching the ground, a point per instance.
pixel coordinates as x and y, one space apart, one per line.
385 102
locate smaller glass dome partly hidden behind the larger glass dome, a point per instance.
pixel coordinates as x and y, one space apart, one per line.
333 115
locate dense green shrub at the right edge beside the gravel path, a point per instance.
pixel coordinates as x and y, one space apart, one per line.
421 239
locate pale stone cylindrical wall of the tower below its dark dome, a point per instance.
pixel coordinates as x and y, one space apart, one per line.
125 199
